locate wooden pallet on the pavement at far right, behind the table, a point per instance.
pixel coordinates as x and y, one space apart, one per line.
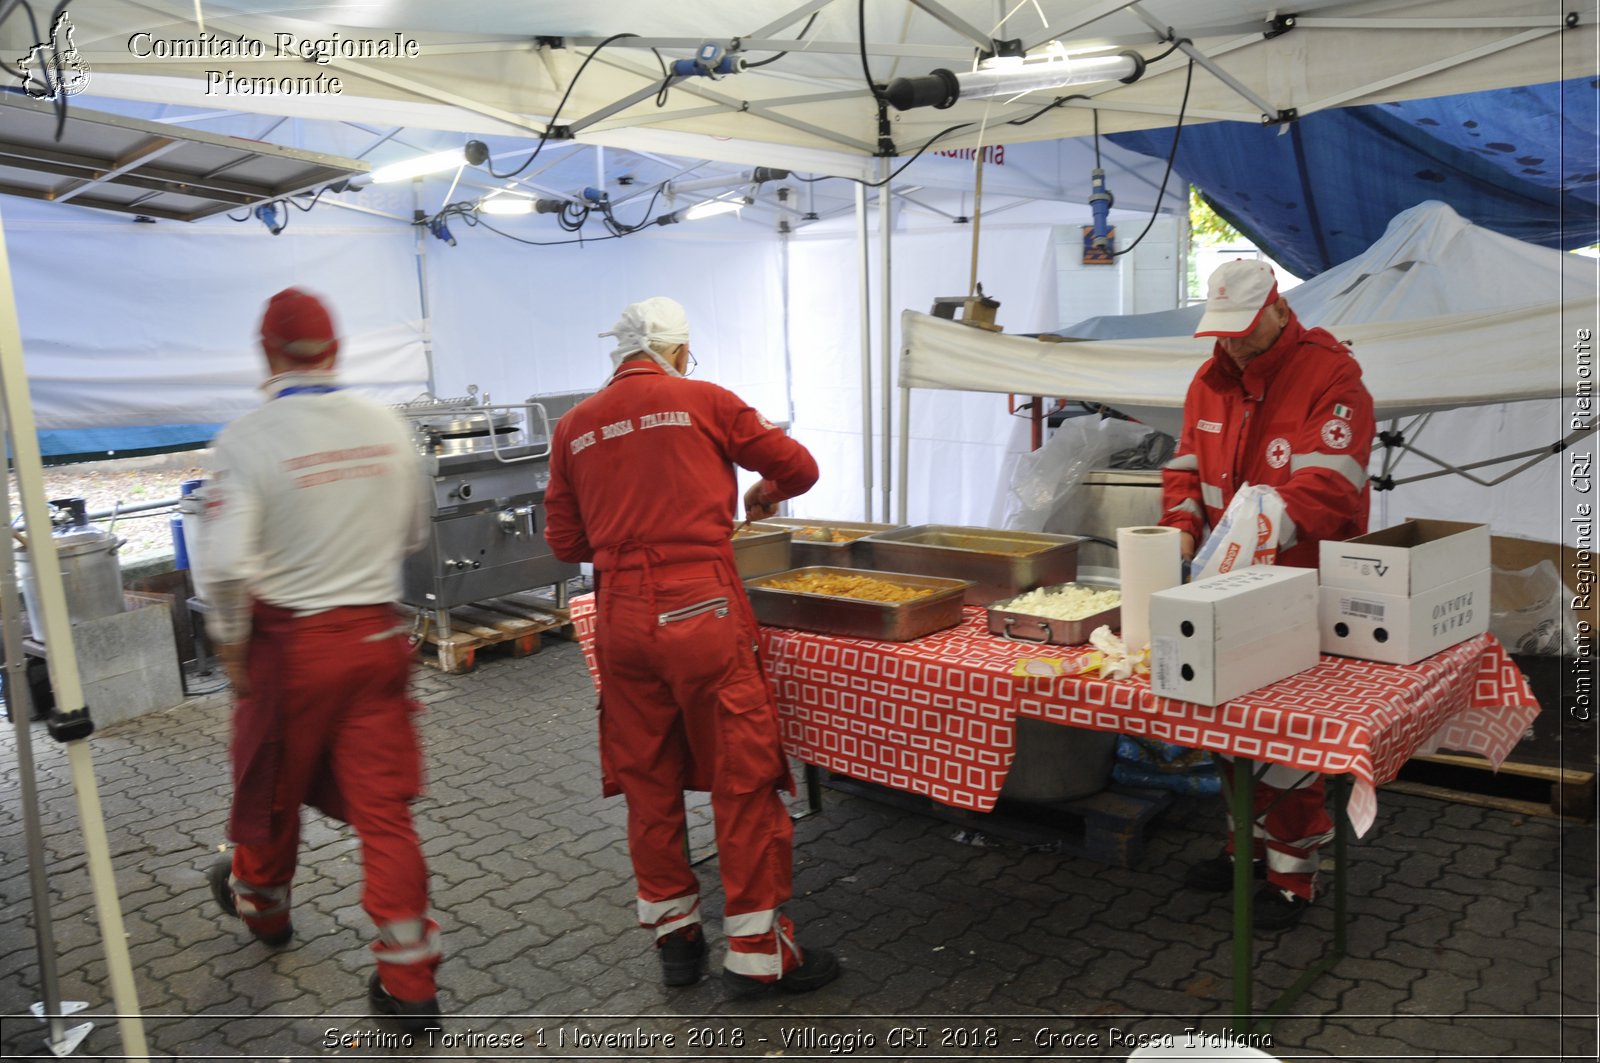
1526 788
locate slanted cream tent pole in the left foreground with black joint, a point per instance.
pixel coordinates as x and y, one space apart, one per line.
65 665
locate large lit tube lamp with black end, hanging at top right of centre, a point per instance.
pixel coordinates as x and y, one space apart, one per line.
1014 76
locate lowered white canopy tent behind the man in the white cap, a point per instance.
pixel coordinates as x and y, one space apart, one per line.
1449 321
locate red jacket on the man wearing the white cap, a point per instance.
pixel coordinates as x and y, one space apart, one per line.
1297 419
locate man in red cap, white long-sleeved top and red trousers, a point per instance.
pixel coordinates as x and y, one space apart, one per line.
314 502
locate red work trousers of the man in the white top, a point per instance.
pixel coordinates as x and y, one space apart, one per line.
329 723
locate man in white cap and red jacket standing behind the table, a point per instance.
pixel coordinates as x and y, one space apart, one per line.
1281 406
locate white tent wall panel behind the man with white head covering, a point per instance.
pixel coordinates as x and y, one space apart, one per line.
521 321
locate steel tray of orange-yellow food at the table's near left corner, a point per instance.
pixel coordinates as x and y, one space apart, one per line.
890 622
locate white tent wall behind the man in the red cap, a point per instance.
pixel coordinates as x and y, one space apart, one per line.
156 324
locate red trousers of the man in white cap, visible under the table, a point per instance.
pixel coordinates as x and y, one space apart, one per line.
1290 825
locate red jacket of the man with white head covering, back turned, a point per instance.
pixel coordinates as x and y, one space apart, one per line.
649 460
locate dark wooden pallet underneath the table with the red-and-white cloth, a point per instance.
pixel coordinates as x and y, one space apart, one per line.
1110 827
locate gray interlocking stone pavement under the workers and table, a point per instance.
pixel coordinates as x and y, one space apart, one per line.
1473 933
